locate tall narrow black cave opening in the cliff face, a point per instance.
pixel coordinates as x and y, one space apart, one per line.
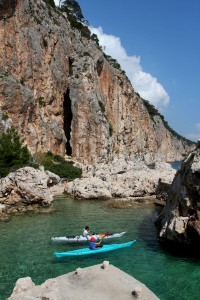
67 110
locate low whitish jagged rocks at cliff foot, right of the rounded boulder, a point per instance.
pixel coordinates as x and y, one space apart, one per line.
122 179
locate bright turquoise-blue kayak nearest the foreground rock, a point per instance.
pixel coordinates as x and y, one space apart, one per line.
88 251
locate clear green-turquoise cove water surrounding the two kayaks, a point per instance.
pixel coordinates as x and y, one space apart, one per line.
26 250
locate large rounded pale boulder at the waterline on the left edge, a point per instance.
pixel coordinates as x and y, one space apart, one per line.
25 187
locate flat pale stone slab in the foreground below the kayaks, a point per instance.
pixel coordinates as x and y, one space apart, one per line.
100 282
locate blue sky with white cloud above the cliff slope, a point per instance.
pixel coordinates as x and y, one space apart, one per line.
157 43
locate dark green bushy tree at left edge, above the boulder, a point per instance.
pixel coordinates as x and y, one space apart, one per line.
13 154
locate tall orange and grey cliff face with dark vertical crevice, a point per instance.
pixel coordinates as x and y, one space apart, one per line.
63 96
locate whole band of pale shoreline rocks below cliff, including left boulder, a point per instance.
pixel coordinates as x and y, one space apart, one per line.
122 183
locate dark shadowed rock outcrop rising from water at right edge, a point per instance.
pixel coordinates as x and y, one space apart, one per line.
180 219
